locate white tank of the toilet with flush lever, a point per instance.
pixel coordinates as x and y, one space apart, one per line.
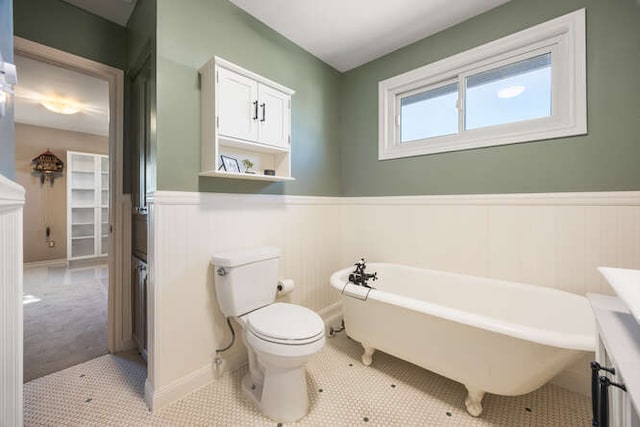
245 280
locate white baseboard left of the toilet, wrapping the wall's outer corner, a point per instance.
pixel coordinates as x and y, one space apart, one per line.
158 399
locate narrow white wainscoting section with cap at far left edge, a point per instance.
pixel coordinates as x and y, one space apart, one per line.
11 369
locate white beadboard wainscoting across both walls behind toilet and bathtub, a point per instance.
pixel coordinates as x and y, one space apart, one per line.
555 240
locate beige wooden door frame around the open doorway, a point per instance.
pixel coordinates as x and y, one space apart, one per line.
119 299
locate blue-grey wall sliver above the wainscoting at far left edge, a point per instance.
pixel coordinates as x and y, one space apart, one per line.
7 143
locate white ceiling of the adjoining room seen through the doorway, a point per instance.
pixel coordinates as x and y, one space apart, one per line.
38 80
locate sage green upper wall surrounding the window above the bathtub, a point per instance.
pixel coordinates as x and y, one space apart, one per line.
608 158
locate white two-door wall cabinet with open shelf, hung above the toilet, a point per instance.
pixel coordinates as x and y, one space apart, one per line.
244 116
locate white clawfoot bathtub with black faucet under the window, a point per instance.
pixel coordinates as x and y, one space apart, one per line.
492 336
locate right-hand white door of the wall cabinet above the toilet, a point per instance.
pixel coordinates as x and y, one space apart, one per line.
274 117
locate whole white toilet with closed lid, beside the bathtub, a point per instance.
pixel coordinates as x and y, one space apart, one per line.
280 337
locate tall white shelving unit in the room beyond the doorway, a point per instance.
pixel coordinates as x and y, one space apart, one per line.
87 205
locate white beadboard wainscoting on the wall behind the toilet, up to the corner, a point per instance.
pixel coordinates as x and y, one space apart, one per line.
187 229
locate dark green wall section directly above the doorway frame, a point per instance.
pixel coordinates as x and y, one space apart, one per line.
60 25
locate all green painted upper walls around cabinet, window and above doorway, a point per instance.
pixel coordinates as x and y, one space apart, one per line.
335 115
